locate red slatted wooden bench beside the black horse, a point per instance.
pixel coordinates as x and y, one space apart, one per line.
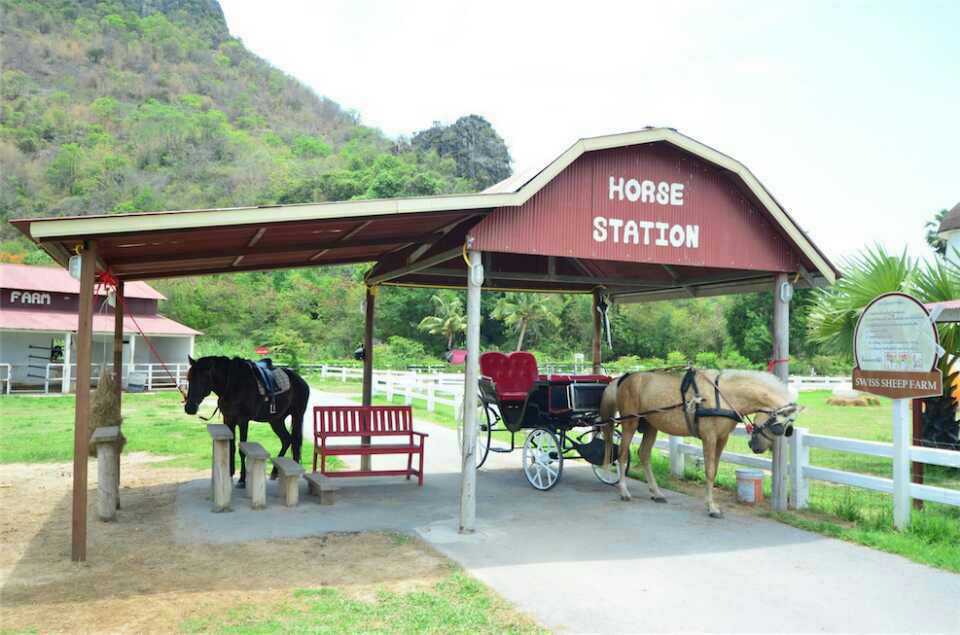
332 422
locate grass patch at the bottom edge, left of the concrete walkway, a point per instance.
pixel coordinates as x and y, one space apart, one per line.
457 604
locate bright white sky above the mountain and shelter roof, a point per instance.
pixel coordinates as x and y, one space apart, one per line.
848 112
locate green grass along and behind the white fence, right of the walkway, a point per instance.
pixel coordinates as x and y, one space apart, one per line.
843 512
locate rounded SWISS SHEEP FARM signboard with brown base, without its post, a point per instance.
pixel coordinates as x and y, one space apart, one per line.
896 349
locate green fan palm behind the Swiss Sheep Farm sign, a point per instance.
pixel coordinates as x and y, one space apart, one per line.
871 273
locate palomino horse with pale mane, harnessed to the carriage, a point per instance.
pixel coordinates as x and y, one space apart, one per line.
703 403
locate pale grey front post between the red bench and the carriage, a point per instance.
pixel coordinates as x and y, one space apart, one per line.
471 388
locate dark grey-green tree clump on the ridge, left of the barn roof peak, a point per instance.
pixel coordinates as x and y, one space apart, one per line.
479 152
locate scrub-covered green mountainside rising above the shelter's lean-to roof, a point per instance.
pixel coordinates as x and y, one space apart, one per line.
139 105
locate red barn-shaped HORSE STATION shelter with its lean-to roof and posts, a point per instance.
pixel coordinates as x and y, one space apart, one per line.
632 217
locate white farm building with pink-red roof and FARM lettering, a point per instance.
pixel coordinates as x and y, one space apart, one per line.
39 314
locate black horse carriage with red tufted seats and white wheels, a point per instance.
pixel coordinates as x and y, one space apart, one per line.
559 415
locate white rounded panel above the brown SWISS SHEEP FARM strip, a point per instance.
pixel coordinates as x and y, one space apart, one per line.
895 333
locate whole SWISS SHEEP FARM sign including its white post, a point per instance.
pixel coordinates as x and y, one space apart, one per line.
896 350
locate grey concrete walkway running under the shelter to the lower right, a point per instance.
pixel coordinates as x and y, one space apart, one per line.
578 559
